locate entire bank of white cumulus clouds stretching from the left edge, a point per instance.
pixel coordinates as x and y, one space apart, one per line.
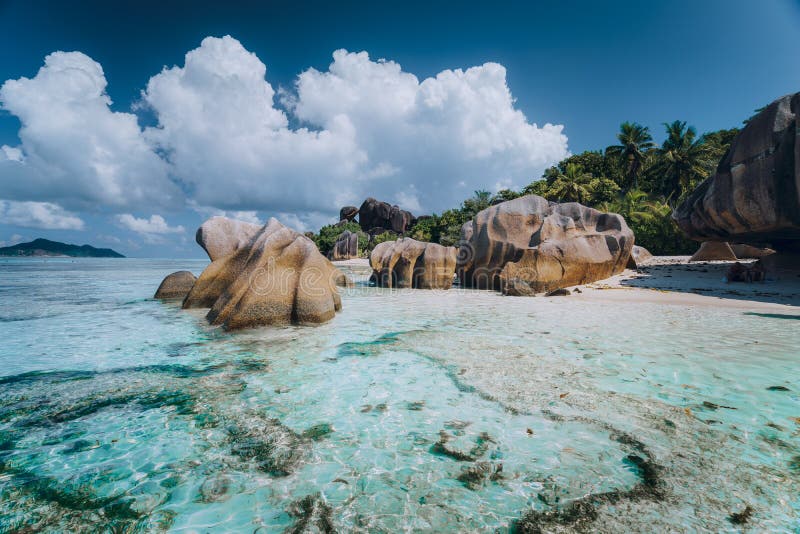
225 141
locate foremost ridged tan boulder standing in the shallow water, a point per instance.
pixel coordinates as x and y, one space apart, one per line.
278 277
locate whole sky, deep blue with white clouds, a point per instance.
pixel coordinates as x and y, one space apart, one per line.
370 127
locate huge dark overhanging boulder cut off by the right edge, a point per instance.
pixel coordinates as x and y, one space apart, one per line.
754 196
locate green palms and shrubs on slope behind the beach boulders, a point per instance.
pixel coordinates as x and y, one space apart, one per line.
635 178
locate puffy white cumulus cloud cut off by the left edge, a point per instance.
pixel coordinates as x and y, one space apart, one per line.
74 150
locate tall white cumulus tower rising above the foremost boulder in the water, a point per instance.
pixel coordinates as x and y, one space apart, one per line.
224 137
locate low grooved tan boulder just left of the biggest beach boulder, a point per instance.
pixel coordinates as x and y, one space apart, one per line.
410 263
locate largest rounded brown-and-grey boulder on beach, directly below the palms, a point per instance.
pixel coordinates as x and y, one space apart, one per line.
529 245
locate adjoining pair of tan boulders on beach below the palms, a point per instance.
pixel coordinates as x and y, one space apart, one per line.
520 247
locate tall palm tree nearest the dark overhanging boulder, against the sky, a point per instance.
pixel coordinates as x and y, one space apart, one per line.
683 160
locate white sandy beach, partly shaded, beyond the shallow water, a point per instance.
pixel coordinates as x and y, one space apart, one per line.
673 280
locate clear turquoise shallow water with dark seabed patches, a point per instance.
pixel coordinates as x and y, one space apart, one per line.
411 411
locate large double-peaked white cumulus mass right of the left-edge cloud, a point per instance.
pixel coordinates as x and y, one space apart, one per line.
371 130
